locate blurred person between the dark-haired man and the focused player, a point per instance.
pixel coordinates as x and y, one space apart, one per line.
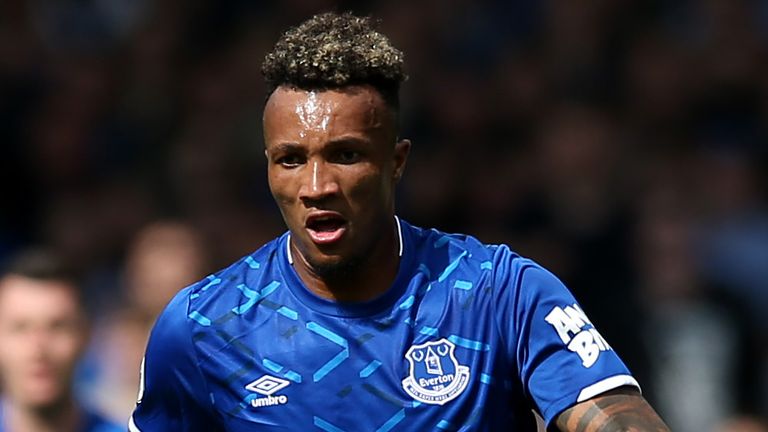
162 258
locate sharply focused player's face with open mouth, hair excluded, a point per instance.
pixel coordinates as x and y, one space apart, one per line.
333 165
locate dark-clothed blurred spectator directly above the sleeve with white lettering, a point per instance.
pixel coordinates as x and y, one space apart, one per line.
576 220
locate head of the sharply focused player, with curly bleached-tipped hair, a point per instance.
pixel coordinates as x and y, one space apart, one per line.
330 130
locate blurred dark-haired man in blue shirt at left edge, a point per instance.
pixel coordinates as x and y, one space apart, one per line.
43 332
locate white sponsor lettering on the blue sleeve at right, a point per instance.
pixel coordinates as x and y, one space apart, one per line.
577 333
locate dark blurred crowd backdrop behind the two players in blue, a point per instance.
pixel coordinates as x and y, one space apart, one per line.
623 144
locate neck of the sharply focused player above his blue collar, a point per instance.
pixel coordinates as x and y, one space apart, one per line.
361 281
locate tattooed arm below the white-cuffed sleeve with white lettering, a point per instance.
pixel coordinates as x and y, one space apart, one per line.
617 411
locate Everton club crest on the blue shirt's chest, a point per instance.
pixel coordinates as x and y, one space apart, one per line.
435 377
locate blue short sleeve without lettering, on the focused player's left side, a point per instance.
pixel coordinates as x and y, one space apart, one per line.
172 392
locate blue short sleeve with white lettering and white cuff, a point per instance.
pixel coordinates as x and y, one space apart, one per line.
560 356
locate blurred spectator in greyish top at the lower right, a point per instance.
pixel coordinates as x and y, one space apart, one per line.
701 364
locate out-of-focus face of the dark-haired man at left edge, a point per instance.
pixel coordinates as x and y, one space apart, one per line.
42 333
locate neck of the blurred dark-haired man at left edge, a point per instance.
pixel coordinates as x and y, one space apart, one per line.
63 416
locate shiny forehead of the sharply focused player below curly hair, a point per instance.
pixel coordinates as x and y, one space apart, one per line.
353 109
